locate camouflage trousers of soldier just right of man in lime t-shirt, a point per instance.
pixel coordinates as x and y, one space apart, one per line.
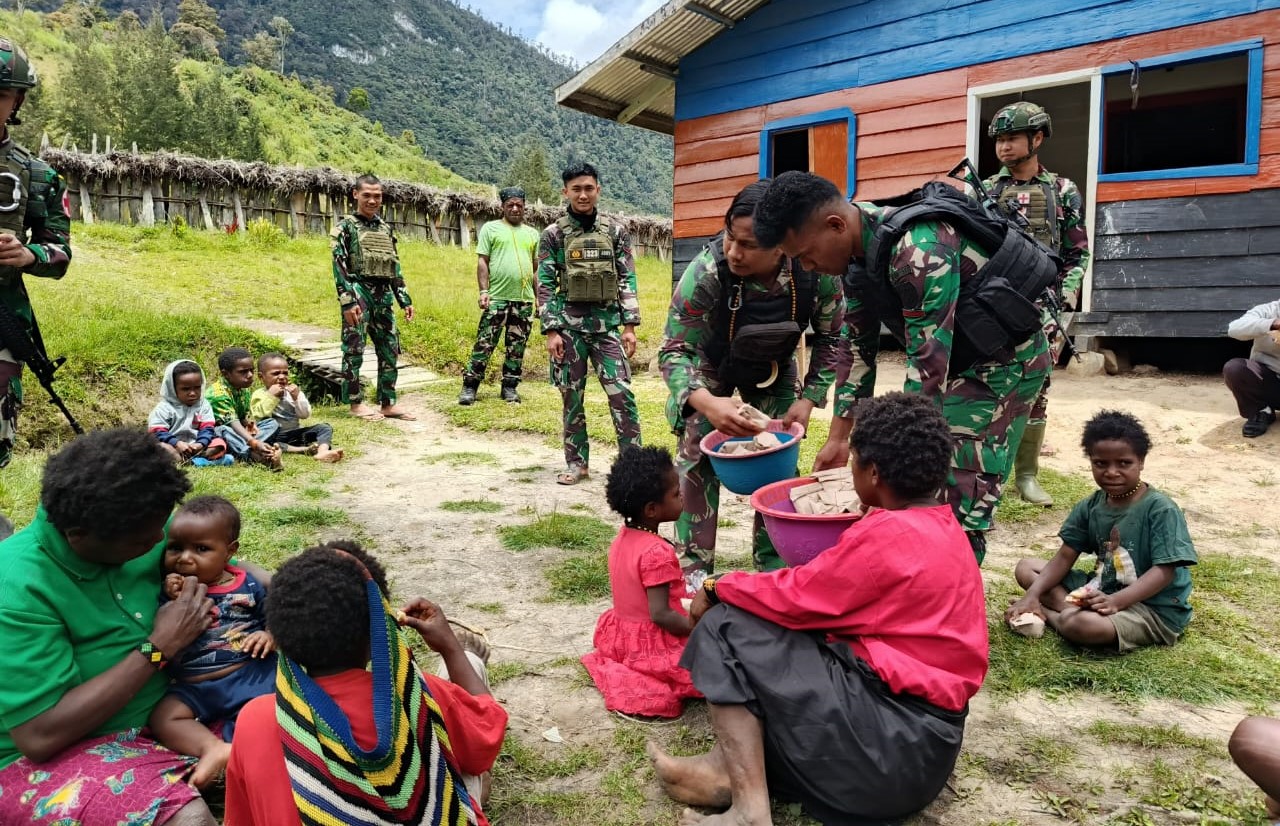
614 371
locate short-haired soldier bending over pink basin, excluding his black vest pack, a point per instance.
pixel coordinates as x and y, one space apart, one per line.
986 403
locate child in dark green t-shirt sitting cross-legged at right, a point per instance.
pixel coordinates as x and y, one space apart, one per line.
1144 547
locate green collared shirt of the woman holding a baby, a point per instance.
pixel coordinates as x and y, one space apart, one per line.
65 622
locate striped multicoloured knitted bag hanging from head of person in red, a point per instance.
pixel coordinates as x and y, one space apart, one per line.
408 778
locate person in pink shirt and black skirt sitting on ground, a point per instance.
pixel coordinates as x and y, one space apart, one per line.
844 684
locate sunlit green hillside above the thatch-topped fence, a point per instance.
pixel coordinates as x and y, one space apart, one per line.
285 121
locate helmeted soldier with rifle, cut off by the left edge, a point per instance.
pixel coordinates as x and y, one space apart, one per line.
35 230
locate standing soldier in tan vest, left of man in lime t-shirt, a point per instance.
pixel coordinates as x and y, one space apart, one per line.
368 275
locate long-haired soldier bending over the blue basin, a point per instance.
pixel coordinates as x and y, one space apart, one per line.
766 287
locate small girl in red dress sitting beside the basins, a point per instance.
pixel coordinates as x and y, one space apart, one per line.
641 640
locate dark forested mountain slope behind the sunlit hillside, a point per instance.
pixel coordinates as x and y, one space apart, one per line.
477 98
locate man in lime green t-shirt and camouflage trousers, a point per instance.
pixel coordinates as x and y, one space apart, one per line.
506 266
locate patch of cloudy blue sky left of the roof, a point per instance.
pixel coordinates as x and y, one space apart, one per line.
578 29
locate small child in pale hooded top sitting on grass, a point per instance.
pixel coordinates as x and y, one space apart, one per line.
184 422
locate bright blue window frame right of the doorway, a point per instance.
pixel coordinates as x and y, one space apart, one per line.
1254 49
